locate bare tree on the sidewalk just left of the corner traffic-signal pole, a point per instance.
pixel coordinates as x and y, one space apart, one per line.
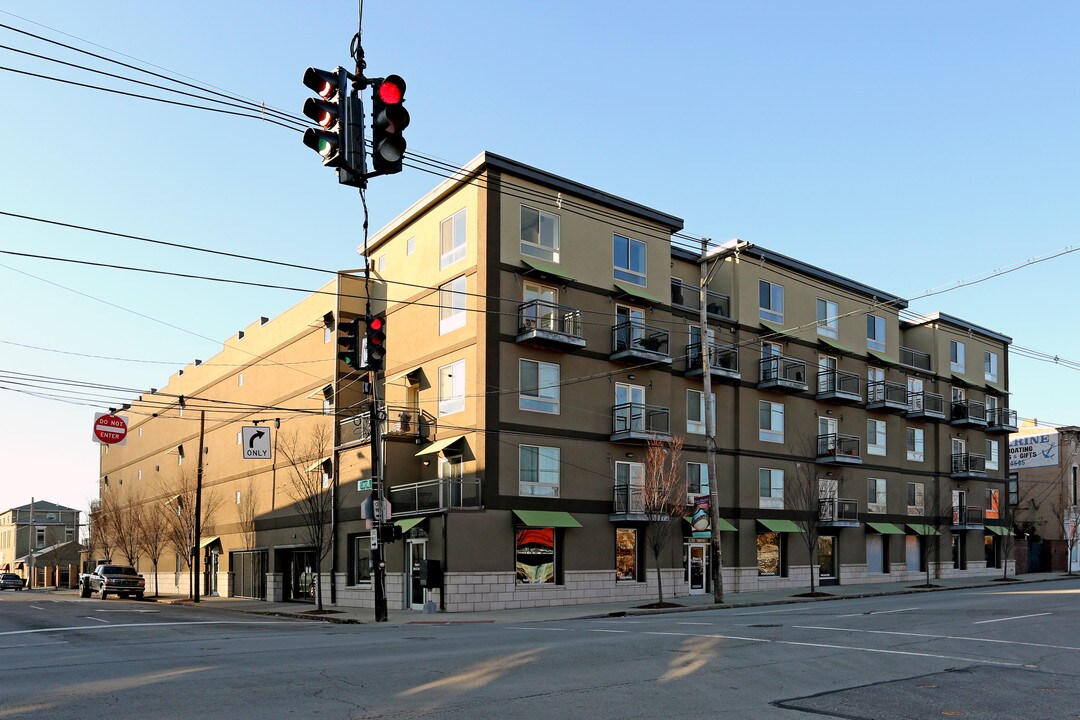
312 488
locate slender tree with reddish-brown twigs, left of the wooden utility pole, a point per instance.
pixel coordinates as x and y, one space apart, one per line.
664 499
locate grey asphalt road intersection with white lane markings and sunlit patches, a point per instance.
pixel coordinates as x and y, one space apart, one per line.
1010 653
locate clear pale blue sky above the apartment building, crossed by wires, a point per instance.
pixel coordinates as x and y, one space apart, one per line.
908 146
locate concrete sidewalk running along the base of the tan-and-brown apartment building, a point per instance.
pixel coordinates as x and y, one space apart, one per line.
336 615
